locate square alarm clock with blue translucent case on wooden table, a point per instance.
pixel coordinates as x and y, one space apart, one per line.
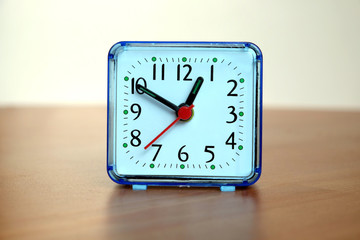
184 114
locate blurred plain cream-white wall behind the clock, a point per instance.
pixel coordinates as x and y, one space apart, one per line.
55 52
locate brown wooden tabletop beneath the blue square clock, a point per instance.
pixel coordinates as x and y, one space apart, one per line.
54 184
